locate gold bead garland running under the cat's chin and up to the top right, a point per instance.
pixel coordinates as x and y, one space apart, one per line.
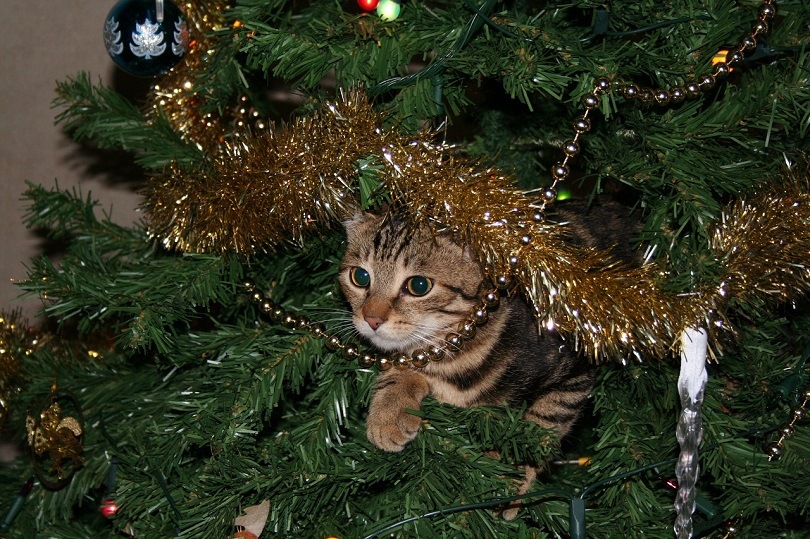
490 298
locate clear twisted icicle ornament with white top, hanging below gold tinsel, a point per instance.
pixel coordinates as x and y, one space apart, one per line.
689 431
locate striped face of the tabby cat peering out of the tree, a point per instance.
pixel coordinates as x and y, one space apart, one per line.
406 289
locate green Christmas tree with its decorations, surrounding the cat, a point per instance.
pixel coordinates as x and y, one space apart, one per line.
192 368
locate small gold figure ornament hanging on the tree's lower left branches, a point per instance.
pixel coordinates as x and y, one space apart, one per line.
57 438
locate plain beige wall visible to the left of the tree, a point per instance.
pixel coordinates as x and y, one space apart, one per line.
44 41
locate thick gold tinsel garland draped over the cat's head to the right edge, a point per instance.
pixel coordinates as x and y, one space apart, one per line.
278 186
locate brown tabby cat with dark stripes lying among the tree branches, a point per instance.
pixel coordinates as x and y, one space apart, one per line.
408 289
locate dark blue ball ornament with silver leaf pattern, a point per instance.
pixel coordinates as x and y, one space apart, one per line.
145 37
